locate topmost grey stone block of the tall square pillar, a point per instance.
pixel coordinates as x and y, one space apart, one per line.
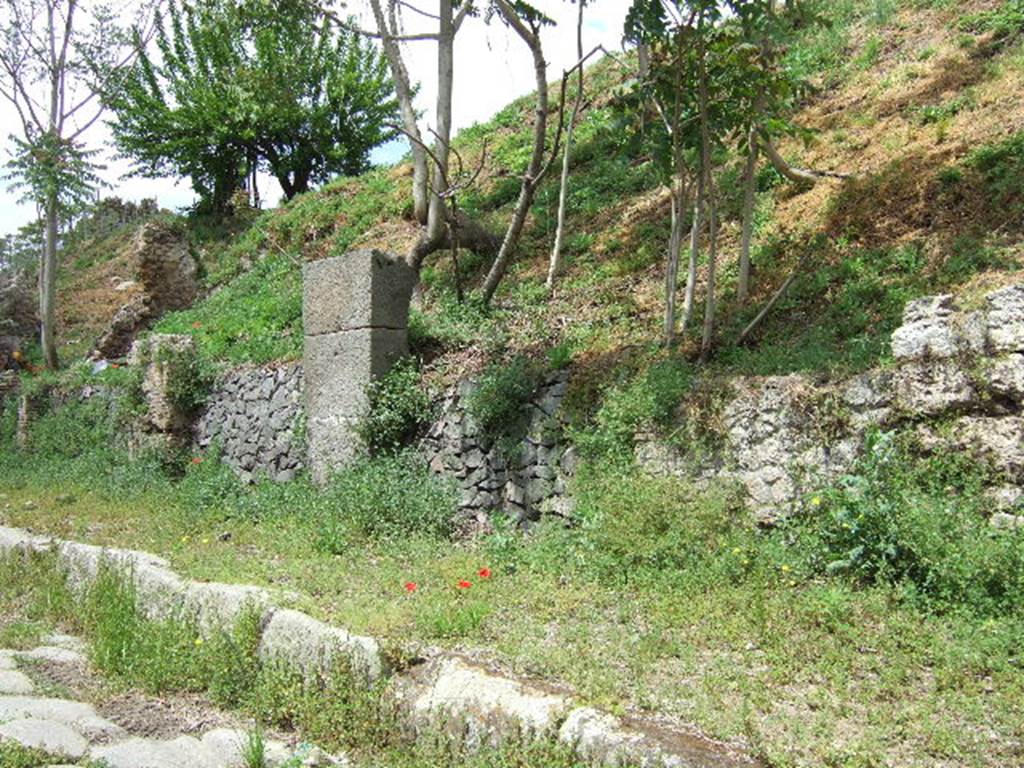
361 289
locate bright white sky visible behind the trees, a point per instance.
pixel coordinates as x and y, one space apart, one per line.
492 68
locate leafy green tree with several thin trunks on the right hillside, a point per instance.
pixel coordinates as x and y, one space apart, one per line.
712 72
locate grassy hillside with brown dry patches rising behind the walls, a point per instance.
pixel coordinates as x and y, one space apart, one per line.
922 103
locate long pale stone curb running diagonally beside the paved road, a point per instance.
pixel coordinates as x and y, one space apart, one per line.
471 703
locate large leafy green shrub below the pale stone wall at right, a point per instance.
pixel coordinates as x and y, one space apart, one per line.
920 525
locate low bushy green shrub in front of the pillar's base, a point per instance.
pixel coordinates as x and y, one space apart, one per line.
394 496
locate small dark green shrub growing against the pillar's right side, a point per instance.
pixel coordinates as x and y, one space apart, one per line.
400 407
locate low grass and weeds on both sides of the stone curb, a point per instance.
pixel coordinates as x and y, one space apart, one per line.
895 558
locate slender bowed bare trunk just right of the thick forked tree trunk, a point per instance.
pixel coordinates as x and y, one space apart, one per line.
535 173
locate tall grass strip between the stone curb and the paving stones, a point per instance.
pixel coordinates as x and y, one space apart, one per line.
335 708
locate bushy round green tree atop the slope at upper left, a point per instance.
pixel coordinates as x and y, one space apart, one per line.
239 88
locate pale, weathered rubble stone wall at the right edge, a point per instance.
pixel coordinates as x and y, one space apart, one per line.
787 435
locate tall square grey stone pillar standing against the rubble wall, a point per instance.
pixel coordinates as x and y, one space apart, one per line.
356 313
